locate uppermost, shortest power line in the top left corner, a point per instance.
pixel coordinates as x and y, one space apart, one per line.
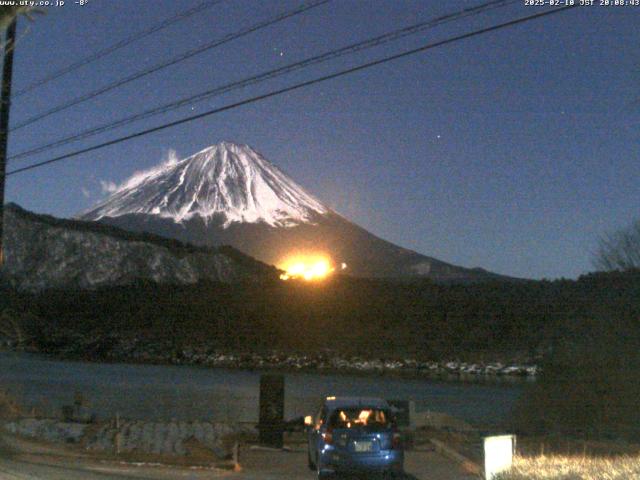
117 46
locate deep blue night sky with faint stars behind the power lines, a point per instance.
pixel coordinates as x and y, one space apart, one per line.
513 151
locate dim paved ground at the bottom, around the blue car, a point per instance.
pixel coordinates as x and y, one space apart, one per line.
31 461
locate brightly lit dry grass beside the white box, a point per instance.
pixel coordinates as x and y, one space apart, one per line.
562 467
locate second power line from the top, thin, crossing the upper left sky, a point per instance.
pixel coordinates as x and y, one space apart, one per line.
184 56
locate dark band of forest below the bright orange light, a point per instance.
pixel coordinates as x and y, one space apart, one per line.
358 316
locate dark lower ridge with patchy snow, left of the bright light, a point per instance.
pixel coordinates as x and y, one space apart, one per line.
42 252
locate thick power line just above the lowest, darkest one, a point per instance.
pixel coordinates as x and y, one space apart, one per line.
268 75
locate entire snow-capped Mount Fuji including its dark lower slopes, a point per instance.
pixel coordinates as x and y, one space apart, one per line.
229 194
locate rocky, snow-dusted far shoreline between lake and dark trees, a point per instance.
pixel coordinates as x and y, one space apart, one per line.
118 350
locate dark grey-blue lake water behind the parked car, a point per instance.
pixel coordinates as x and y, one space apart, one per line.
155 392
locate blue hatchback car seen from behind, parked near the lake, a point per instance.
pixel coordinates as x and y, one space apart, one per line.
354 435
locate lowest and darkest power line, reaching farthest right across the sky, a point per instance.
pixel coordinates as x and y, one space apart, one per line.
297 86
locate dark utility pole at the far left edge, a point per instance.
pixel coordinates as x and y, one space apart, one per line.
5 103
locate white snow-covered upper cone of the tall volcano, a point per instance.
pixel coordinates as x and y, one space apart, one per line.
228 181
